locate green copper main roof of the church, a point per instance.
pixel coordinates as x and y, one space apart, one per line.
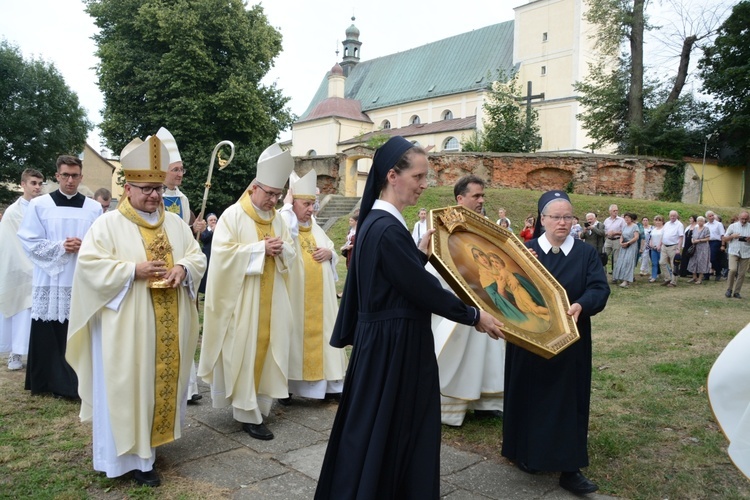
457 64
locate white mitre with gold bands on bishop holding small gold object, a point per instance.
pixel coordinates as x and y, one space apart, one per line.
145 161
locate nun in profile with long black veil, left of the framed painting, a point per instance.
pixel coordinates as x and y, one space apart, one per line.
385 441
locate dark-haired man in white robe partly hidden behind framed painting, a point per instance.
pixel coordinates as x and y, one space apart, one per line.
471 365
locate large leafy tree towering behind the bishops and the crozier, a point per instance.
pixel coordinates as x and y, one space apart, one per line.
194 67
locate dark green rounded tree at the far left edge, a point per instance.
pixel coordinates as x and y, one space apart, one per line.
40 118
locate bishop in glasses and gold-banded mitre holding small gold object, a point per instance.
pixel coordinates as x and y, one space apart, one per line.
134 325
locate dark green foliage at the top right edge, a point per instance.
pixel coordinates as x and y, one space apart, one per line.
726 76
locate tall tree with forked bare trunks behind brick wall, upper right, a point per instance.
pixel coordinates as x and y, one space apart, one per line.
622 107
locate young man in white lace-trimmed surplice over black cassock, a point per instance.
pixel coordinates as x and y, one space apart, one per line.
51 233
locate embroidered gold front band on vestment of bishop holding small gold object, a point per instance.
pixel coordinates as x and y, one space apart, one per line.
164 301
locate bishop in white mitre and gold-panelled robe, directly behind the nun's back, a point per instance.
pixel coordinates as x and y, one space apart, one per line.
316 368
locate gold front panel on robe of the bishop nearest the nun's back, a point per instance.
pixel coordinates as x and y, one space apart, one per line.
312 364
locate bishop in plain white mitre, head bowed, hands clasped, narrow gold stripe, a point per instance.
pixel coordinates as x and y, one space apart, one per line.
247 319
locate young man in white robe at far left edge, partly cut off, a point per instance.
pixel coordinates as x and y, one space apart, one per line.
16 272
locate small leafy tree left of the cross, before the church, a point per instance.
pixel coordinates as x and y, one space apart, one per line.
509 127
